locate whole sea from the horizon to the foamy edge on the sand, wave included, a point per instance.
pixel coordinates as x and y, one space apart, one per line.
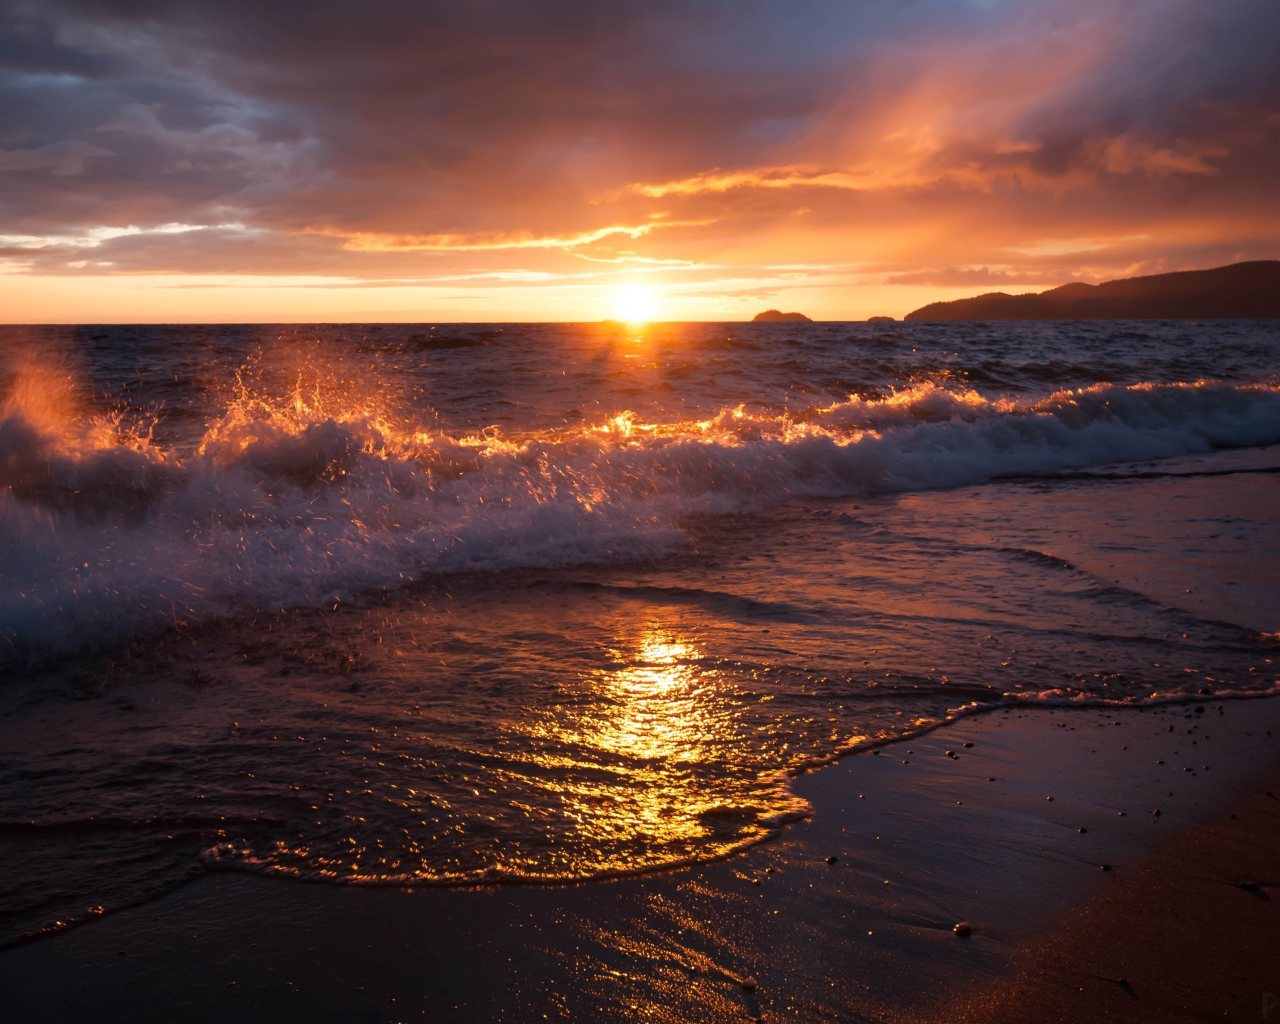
455 605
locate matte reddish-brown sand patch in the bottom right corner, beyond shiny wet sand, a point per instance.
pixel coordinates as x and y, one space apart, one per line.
1192 934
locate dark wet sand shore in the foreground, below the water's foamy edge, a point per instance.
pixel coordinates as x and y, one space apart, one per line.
922 842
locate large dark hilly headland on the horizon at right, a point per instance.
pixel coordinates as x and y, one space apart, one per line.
1247 291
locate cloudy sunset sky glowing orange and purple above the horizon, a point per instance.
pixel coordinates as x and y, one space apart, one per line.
496 161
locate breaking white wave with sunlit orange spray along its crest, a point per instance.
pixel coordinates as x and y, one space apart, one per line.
305 501
